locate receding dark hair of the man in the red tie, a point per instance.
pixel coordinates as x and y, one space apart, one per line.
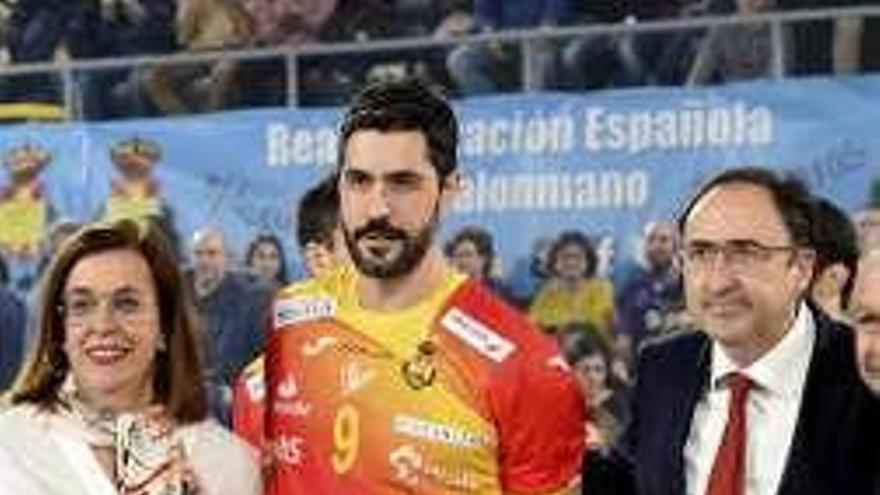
791 197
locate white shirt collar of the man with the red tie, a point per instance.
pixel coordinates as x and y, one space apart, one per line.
779 370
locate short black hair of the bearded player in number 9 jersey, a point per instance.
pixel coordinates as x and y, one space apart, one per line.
406 104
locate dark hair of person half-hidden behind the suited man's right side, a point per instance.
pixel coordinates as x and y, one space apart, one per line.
836 242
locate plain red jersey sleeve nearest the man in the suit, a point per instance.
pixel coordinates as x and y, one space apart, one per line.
540 411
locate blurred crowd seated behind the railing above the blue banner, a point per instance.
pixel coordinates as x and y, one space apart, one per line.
46 30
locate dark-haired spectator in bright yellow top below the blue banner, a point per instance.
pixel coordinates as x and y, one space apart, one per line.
573 293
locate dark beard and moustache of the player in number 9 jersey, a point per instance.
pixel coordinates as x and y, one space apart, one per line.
397 252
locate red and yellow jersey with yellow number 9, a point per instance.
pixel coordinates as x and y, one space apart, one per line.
457 394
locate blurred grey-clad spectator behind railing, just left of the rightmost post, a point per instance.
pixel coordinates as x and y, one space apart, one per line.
736 52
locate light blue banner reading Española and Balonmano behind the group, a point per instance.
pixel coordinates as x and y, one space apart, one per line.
604 162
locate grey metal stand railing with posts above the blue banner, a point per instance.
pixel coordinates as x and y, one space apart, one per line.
67 75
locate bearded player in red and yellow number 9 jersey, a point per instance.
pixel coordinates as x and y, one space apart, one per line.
396 374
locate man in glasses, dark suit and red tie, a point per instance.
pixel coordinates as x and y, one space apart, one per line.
765 399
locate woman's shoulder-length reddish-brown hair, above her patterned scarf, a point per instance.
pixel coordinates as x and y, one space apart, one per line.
178 380
